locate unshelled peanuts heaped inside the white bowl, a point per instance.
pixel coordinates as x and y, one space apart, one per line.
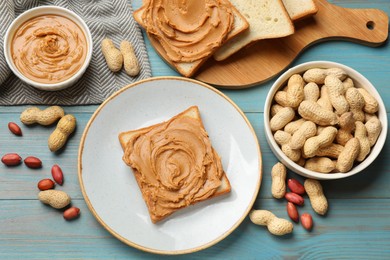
323 122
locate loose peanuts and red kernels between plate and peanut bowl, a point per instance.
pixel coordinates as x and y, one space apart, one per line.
294 197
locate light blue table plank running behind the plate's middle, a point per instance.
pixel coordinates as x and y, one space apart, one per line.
20 182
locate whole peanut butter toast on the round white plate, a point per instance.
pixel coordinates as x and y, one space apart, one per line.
174 164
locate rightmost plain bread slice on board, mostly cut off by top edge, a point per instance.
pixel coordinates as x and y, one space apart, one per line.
299 9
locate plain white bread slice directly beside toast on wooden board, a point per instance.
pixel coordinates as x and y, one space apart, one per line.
267 19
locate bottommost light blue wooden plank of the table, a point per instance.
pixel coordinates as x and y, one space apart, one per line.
34 231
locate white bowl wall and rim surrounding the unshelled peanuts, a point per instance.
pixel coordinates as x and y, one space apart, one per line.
359 80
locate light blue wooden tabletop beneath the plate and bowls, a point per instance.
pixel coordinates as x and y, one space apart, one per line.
357 225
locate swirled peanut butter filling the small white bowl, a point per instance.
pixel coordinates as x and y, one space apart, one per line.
49 48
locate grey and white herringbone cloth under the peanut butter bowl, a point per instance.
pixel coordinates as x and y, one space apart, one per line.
105 18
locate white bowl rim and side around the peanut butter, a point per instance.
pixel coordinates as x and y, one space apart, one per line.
42 10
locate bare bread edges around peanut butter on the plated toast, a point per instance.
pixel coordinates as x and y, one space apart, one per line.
125 137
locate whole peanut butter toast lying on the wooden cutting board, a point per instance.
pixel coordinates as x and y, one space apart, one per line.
187 33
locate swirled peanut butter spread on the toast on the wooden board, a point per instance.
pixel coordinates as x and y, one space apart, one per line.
188 30
